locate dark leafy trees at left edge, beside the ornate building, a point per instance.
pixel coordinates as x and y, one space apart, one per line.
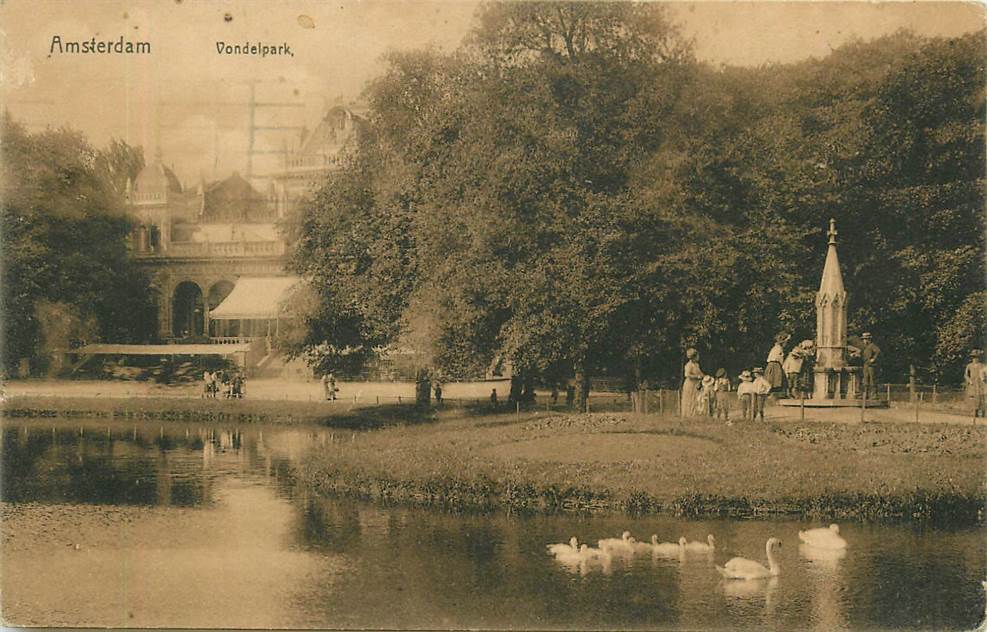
66 275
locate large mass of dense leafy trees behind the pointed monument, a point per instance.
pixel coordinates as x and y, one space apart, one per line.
571 191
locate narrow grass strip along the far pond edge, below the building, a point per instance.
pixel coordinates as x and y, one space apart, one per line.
338 414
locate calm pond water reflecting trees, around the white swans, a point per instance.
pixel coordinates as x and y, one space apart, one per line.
203 526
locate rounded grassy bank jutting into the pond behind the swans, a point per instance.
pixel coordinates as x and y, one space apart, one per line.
666 465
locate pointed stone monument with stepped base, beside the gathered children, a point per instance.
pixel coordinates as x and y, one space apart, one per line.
834 382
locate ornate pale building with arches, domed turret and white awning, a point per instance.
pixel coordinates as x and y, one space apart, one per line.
200 244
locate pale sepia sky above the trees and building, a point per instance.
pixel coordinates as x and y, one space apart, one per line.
191 102
